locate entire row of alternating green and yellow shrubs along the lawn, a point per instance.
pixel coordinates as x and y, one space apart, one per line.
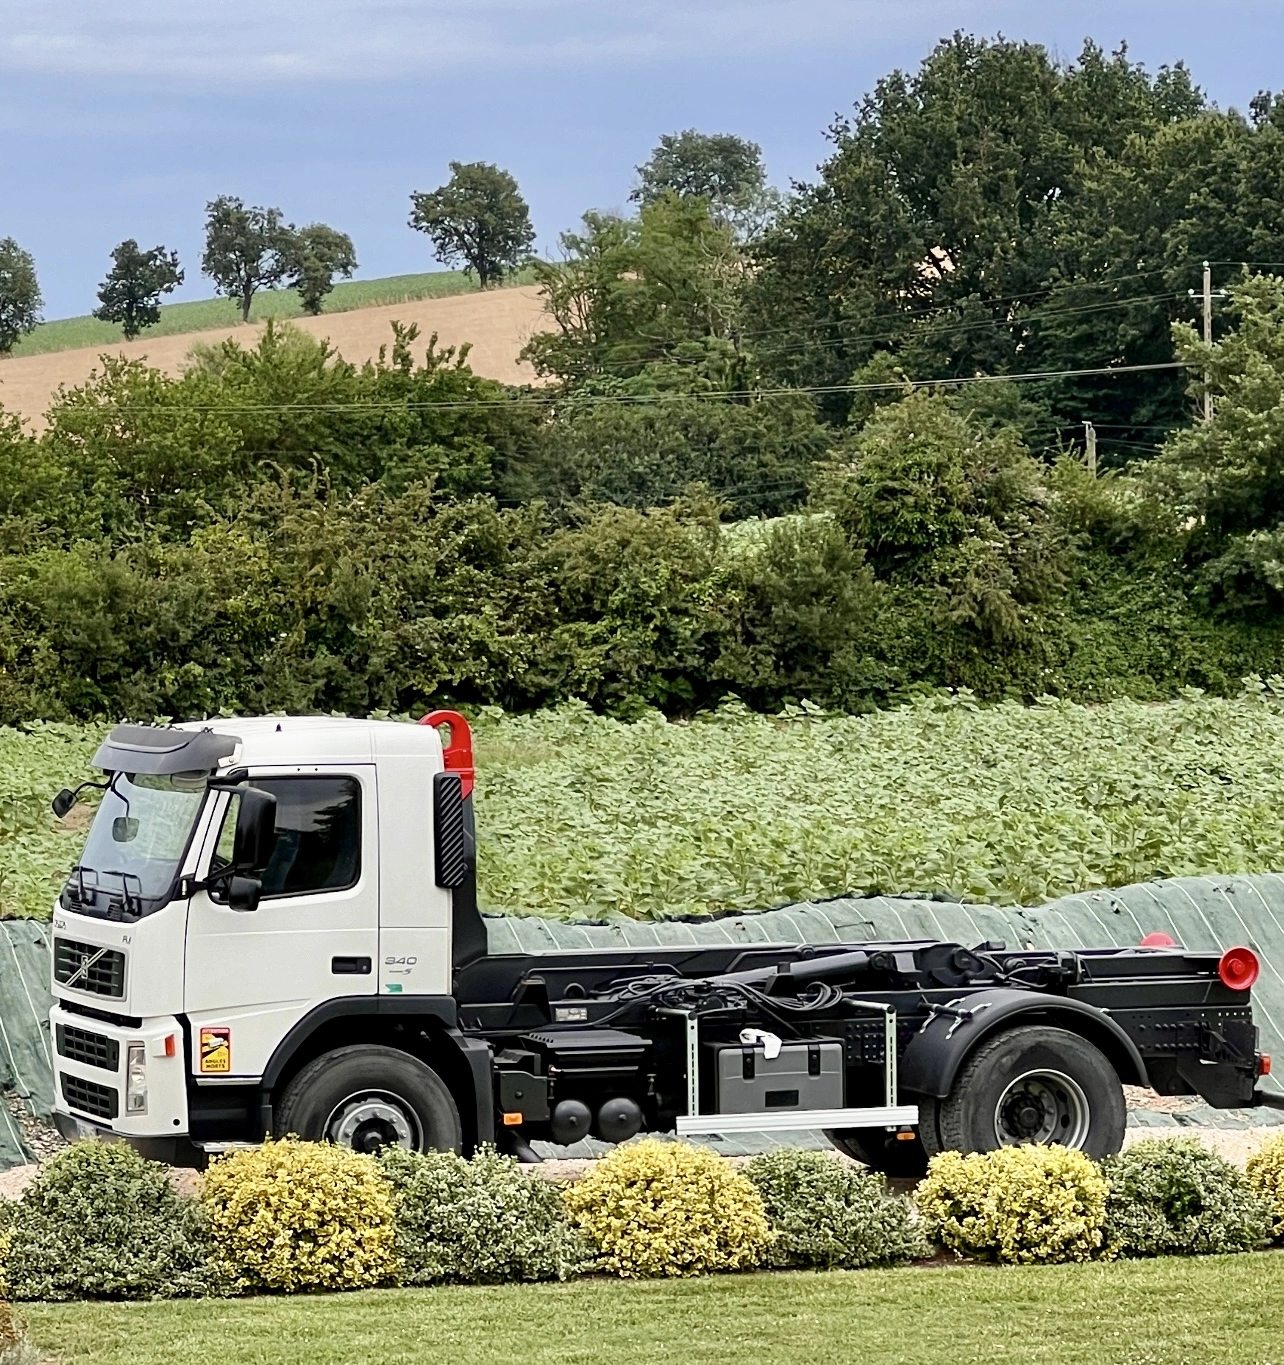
100 1222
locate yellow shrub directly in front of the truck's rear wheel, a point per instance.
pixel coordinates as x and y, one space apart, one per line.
1017 1205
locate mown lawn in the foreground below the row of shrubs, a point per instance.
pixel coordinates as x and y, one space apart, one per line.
1207 1311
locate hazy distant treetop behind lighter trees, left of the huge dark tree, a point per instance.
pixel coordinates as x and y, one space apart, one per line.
718 167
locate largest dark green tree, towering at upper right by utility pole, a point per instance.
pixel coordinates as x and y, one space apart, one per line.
1001 212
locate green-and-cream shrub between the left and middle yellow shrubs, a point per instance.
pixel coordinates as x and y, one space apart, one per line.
481 1221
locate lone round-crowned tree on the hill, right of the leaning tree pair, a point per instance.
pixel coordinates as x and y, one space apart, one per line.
478 218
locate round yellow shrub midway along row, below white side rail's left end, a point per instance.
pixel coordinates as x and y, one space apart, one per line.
669 1209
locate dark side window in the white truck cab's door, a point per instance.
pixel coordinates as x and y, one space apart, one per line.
319 835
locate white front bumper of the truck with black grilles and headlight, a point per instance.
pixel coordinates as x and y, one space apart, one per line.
91 1057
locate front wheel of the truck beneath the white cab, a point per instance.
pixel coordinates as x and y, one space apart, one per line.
369 1098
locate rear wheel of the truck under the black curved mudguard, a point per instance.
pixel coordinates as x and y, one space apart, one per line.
1035 1084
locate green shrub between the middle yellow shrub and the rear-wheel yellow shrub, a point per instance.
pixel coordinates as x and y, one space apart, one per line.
829 1214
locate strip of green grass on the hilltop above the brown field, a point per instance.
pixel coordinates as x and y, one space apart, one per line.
178 319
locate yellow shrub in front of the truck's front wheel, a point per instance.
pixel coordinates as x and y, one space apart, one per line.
301 1216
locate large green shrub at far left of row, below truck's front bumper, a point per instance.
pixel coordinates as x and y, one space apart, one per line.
100 1222
